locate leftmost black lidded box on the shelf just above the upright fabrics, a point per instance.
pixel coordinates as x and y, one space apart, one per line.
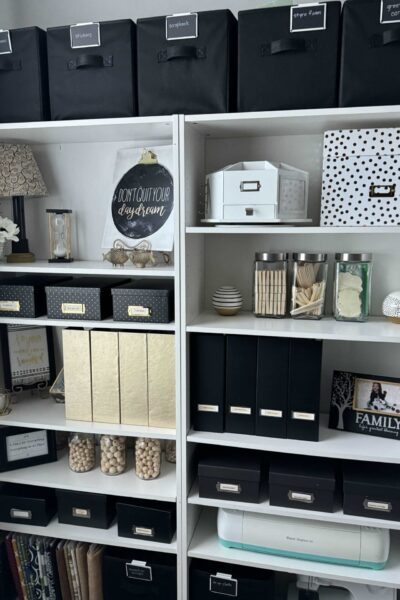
27 504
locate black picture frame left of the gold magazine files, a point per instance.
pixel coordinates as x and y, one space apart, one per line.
27 354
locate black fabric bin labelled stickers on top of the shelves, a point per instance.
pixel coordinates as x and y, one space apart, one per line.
93 82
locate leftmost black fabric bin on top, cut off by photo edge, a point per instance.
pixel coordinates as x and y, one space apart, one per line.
24 88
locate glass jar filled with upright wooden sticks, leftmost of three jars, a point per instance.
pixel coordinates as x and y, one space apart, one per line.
270 284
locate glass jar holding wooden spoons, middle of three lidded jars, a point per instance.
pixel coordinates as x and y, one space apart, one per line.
310 272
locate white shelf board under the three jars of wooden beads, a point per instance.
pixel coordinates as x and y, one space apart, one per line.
58 475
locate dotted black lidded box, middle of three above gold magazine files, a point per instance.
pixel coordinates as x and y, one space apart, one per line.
85 298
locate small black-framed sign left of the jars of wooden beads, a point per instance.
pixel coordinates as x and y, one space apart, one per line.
21 447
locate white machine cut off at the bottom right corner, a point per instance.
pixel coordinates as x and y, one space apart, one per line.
308 588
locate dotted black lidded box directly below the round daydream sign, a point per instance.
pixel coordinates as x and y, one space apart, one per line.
144 301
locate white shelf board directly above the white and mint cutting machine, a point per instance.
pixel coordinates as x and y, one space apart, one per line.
264 507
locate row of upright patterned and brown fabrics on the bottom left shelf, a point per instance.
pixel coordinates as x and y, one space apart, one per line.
40 568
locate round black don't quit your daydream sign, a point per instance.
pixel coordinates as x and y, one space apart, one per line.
143 200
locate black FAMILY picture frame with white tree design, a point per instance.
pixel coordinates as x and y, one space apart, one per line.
365 404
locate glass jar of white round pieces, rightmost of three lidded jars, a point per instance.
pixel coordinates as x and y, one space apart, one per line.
352 289
